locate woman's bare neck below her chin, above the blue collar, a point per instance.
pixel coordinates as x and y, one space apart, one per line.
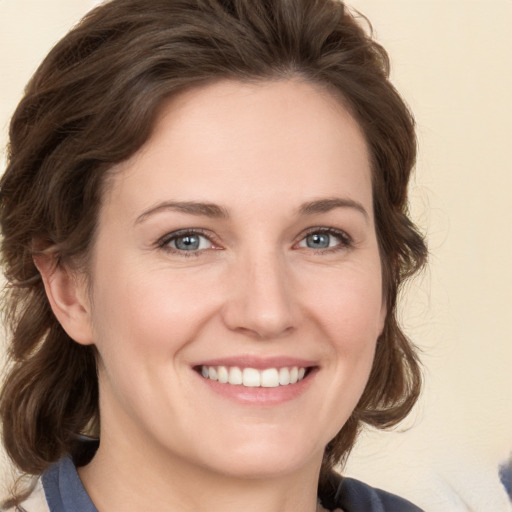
121 478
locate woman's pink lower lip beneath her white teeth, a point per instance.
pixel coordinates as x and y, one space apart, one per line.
259 395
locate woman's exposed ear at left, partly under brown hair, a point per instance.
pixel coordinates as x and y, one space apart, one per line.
67 293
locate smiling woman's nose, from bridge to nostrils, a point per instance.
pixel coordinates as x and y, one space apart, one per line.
260 301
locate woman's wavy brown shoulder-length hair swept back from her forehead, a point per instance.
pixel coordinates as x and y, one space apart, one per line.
92 103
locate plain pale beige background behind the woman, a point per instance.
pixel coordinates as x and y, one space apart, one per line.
452 60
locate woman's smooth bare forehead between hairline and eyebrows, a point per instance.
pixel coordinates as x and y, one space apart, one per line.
233 142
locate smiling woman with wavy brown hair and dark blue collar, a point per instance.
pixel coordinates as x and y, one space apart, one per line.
205 230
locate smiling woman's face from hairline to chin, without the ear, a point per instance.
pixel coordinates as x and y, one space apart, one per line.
238 244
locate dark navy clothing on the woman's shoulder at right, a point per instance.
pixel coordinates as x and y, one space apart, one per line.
355 496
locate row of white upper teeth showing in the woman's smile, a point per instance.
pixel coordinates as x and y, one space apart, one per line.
251 377
